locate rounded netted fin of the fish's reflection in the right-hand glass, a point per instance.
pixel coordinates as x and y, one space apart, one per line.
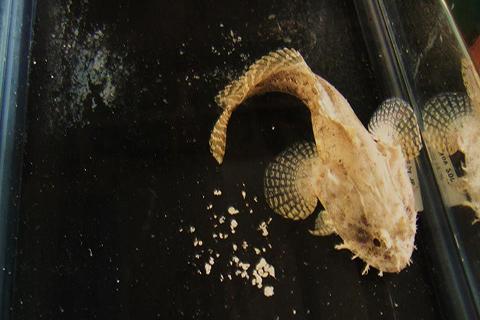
443 115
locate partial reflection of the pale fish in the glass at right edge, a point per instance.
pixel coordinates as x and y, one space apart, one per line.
452 123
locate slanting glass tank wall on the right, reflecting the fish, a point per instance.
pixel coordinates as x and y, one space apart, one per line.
444 84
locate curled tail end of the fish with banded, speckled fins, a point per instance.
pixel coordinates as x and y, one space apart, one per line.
279 71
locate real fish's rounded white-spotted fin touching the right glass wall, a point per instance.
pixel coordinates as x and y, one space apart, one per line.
395 121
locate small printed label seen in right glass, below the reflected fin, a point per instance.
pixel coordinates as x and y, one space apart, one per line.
446 176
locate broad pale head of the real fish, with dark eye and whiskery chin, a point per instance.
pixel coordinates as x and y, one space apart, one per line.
371 201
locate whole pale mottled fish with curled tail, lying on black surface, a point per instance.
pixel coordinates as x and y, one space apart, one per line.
360 178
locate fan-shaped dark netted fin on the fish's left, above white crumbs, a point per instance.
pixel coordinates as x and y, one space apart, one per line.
287 183
